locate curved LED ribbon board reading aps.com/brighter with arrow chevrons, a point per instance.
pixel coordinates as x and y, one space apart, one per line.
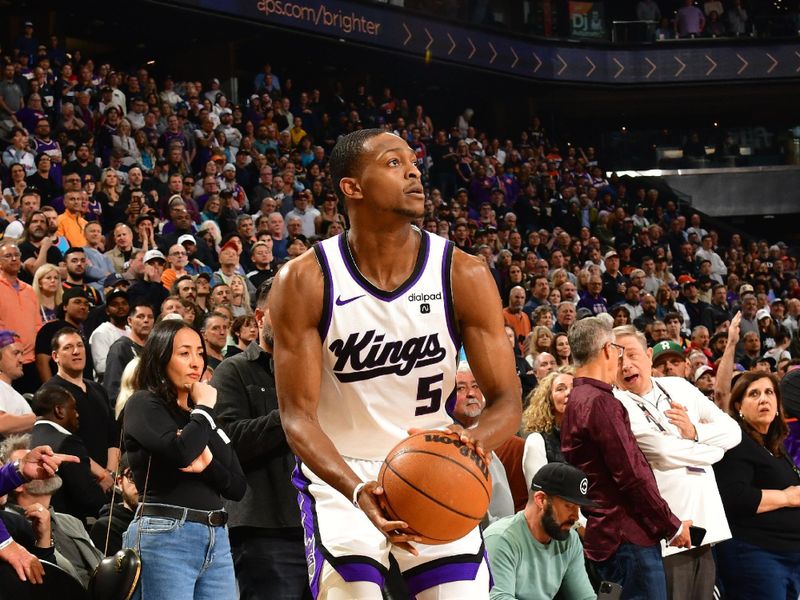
661 63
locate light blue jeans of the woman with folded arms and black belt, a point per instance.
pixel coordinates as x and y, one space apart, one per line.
182 560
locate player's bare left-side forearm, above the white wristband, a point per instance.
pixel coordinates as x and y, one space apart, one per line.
312 446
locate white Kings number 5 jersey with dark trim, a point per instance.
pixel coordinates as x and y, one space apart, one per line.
389 358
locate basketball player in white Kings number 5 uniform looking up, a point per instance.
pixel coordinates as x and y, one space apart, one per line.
367 329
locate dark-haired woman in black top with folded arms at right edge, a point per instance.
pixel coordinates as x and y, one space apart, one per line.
760 488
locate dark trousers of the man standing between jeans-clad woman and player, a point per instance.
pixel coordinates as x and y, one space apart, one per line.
269 567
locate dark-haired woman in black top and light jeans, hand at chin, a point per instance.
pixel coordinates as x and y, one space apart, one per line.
183 463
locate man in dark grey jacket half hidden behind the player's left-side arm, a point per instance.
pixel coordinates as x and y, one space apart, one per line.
266 535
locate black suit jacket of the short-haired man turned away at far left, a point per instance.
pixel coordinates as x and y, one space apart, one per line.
80 496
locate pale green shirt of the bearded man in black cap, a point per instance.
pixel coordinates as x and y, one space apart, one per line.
525 569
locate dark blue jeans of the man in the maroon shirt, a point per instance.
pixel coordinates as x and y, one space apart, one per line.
638 569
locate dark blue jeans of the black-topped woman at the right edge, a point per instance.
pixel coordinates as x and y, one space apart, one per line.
747 571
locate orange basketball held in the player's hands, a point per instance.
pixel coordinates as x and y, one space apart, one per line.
437 484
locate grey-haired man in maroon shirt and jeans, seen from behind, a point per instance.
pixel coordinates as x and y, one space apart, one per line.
623 534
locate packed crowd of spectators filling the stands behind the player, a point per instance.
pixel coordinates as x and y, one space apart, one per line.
128 198
